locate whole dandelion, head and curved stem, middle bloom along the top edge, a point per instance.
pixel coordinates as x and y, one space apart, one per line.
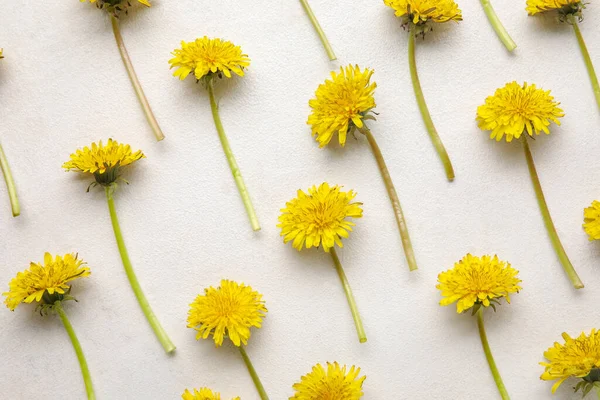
418 17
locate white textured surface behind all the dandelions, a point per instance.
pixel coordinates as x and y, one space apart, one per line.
63 86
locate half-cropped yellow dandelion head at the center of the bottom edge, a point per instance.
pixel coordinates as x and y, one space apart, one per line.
335 383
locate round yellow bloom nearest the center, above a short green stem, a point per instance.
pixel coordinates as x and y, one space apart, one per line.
319 217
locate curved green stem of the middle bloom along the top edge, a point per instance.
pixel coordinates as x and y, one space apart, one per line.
435 138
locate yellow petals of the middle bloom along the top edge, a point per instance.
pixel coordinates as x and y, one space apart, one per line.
421 11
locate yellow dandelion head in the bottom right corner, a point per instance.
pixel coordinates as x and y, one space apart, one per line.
577 358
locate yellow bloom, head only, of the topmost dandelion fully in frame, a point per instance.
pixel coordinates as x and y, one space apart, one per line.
207 57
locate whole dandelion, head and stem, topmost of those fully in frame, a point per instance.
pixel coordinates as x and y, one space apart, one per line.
209 60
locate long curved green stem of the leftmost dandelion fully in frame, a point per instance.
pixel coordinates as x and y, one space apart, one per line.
135 285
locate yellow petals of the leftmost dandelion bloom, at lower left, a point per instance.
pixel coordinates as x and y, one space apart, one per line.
45 282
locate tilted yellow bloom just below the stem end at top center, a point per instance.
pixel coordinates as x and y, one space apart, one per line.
341 104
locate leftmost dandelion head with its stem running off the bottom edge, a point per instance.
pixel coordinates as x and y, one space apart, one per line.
49 284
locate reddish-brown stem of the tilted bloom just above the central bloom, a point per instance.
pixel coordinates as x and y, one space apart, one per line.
389 185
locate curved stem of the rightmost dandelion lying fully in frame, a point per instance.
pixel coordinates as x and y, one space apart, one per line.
558 247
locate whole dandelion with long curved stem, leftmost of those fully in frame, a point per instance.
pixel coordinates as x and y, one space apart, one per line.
105 162
